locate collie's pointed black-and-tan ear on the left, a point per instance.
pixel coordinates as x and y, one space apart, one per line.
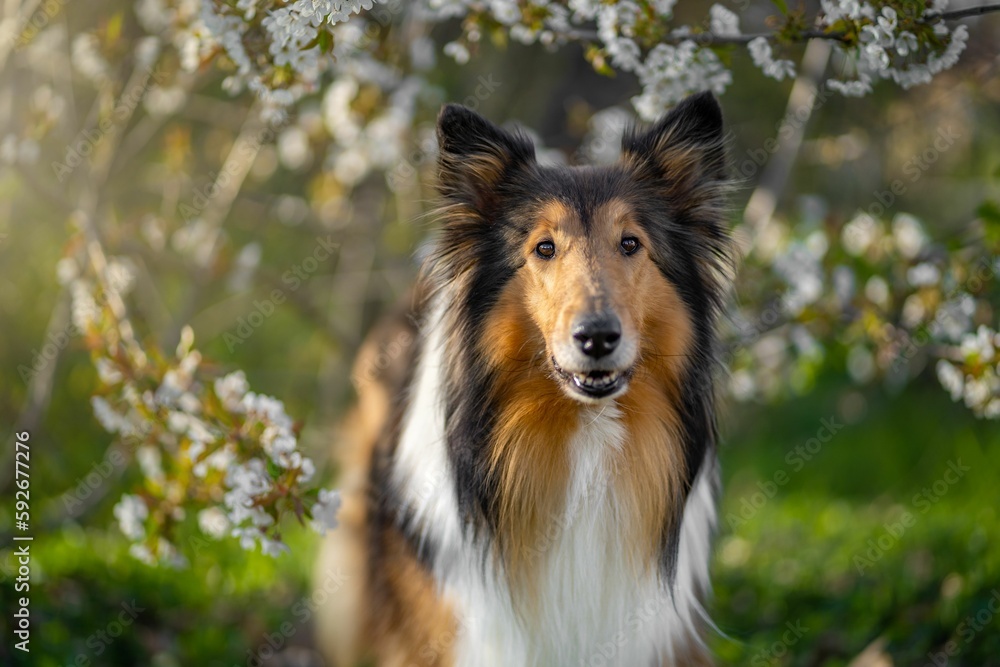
475 156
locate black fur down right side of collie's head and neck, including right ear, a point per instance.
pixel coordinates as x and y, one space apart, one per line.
680 164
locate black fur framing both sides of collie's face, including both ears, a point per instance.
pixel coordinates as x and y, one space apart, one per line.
674 177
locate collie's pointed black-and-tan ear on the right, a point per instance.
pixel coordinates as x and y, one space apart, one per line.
684 151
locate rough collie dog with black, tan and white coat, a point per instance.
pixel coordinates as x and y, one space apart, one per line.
532 472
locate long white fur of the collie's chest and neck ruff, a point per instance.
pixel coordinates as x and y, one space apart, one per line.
590 605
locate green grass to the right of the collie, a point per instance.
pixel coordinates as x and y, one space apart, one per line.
830 552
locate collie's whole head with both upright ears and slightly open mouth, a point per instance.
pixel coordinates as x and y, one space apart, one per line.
596 275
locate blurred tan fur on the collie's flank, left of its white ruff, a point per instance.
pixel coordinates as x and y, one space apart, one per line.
351 627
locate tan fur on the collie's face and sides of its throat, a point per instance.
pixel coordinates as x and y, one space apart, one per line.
538 307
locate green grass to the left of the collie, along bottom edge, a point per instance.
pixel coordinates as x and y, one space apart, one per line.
209 615
